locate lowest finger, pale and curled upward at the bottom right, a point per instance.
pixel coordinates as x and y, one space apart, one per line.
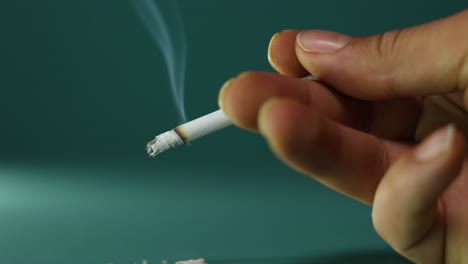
407 210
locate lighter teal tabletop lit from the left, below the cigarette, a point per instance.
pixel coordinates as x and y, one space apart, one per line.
110 213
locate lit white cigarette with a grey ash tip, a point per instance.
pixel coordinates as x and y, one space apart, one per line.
192 130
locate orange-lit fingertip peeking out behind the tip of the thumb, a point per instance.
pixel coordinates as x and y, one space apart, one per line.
282 57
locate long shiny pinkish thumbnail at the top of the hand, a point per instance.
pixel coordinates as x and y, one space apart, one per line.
321 41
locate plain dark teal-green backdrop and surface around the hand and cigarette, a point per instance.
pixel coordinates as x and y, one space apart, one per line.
83 88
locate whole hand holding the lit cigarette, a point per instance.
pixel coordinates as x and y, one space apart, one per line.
358 129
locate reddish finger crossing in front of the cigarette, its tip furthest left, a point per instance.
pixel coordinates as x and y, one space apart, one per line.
242 97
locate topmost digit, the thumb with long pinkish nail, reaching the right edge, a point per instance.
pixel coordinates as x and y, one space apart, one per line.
426 59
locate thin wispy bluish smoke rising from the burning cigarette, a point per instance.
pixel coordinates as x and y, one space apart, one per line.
171 41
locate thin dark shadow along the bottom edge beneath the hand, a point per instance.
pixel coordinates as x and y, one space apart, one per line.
366 257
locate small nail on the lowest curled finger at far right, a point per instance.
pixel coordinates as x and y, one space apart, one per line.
436 144
